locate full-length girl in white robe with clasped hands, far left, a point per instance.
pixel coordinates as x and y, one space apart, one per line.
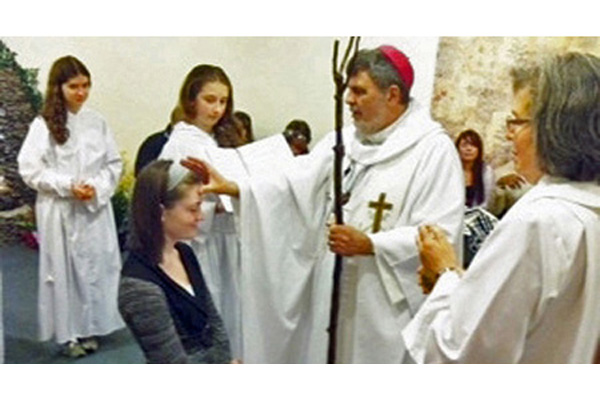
71 159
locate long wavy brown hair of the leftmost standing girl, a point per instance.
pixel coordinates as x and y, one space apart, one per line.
54 111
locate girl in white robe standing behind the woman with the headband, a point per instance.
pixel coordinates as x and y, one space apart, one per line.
206 99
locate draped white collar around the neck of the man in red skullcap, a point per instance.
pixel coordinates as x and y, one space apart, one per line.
406 131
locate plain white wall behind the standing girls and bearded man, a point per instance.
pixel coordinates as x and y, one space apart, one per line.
136 80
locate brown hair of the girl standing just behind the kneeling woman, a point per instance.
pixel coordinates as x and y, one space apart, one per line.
224 131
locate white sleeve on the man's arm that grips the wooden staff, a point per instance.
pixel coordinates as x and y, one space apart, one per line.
436 196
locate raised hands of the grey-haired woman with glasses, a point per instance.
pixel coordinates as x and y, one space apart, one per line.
437 255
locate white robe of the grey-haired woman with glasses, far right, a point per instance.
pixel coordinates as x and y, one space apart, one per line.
532 293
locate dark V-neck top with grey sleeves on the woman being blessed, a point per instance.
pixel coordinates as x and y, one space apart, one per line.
170 324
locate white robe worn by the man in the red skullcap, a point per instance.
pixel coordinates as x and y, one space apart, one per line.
287 271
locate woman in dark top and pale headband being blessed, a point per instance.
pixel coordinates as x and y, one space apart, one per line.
162 294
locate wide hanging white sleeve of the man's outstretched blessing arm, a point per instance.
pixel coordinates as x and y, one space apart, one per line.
282 233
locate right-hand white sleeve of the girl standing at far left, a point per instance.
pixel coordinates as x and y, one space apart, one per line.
107 178
